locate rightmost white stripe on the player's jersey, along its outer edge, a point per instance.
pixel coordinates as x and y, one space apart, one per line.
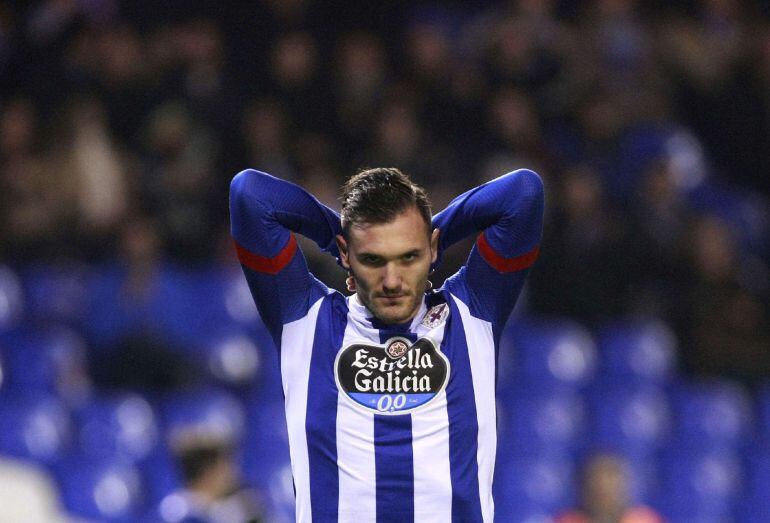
481 353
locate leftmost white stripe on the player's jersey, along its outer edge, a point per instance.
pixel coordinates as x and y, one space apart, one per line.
296 349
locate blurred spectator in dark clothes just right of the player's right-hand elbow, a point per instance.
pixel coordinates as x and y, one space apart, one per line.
589 267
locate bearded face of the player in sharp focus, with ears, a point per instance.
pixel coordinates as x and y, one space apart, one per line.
390 264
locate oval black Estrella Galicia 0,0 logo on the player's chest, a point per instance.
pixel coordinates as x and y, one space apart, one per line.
392 379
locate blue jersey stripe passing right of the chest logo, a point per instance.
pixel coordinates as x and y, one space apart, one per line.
463 425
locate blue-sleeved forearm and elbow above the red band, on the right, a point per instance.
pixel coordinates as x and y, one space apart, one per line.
508 210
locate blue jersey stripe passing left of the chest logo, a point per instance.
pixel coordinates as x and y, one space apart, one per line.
321 416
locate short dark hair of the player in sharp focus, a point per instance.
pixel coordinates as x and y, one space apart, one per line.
378 195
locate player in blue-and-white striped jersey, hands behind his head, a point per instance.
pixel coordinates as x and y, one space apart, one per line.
390 392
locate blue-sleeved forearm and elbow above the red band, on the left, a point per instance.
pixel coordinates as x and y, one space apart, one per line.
264 210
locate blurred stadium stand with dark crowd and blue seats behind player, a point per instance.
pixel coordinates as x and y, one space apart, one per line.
136 380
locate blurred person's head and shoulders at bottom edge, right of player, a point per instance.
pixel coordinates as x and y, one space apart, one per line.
605 493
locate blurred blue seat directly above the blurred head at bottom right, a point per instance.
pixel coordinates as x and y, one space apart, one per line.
634 420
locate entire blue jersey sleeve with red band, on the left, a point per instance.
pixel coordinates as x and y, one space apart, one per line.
265 212
